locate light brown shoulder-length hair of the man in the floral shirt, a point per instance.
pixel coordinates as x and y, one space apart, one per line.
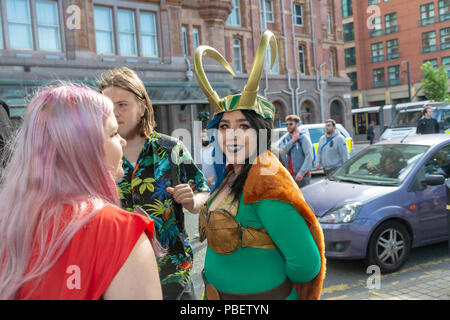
127 79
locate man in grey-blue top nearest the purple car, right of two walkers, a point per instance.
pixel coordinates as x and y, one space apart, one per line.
332 151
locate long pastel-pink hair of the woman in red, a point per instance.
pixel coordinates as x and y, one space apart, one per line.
57 163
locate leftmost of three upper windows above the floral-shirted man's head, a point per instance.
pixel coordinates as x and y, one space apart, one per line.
103 30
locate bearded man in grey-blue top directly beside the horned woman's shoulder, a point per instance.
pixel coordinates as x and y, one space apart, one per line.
297 152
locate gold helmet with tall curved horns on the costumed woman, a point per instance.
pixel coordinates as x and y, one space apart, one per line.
249 98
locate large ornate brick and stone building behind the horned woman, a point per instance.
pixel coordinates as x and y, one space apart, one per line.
45 40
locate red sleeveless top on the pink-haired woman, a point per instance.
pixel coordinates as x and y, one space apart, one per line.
94 256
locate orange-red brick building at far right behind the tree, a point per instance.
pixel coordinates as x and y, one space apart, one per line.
383 36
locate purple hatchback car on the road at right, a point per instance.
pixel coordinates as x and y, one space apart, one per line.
387 199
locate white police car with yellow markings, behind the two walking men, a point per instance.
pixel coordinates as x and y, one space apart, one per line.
314 132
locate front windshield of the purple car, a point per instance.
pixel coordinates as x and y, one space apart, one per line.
385 165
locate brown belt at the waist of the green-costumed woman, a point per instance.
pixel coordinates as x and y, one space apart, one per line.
278 293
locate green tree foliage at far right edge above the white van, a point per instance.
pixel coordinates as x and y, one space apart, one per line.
434 83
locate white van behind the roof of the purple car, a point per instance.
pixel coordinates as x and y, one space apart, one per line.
408 115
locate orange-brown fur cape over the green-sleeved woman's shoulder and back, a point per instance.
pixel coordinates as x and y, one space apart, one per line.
268 179
